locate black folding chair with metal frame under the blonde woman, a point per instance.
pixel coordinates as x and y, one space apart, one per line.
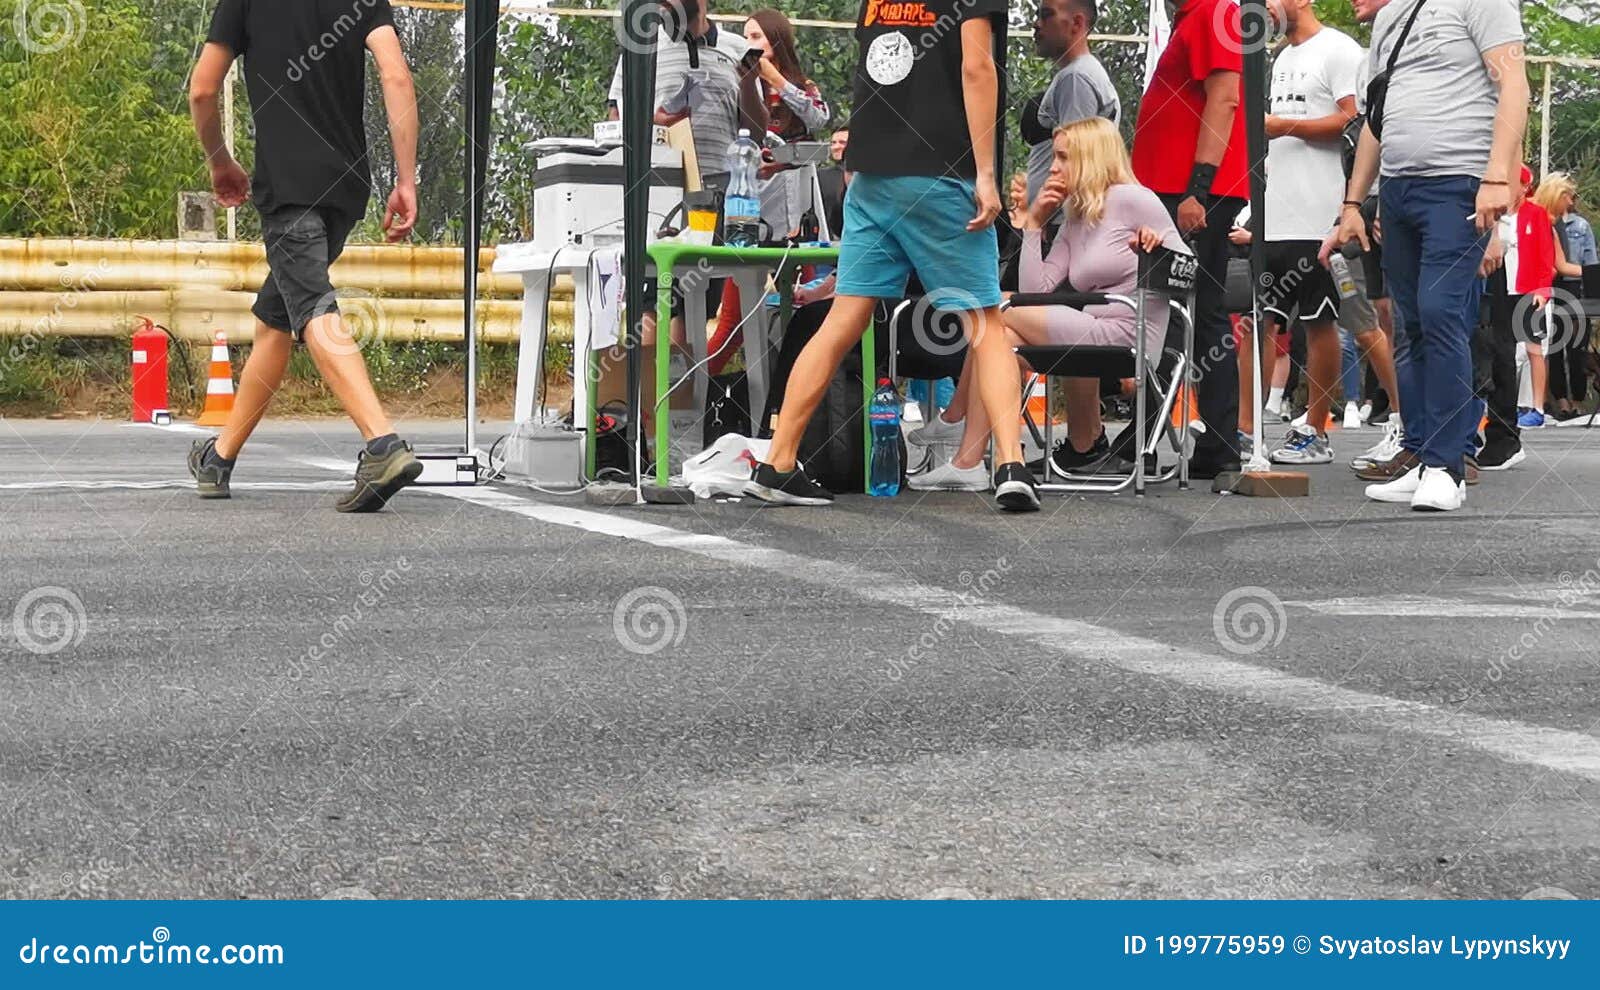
1167 276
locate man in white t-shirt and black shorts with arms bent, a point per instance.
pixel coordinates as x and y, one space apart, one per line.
1313 100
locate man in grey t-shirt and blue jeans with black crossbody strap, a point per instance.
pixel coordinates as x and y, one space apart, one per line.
1452 145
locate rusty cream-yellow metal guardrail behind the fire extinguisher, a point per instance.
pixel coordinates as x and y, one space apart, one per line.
100 289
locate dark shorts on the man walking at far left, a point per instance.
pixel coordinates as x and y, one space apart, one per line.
303 242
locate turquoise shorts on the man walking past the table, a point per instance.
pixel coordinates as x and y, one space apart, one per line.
903 225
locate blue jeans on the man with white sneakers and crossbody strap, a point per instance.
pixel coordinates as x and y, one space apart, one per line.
1433 252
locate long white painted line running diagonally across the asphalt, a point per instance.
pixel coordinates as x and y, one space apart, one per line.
1540 746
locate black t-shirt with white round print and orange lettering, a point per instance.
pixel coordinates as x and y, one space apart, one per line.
910 118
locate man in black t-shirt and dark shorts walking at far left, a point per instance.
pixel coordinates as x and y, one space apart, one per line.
306 73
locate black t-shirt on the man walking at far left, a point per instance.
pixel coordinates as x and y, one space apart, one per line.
306 73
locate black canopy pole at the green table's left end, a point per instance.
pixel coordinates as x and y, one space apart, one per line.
641 20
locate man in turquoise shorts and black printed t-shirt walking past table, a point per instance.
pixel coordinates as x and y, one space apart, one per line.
922 199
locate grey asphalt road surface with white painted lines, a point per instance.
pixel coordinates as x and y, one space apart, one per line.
524 697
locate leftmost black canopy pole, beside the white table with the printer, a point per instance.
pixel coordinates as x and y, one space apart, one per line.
482 38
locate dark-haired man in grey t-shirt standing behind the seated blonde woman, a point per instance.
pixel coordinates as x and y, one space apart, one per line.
1081 87
